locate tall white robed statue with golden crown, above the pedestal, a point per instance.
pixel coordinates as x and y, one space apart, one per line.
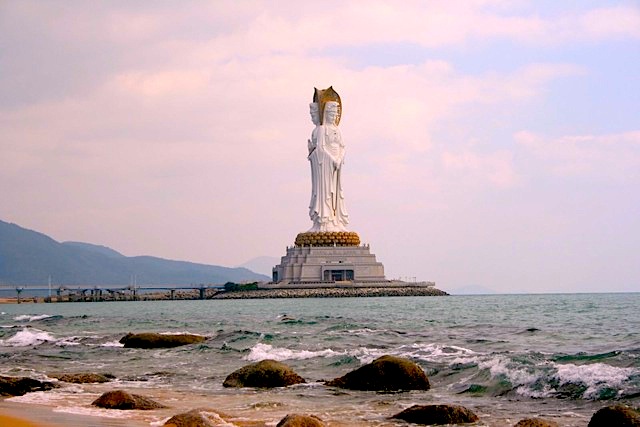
326 155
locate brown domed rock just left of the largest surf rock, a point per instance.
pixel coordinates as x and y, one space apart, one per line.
264 374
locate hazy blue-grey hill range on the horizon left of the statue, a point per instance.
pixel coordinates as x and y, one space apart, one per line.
29 257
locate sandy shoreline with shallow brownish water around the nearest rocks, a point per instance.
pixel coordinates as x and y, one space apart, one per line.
251 408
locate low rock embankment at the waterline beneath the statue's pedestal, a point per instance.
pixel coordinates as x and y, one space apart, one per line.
333 293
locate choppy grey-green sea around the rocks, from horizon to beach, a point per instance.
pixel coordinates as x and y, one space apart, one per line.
506 357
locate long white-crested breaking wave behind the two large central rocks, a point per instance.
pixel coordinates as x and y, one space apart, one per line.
530 375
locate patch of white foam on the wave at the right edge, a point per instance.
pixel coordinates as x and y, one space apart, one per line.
595 376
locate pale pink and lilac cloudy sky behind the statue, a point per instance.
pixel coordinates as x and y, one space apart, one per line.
490 144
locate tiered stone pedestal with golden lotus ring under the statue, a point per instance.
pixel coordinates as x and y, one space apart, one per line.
328 257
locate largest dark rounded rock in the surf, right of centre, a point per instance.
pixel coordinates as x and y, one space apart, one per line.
386 373
